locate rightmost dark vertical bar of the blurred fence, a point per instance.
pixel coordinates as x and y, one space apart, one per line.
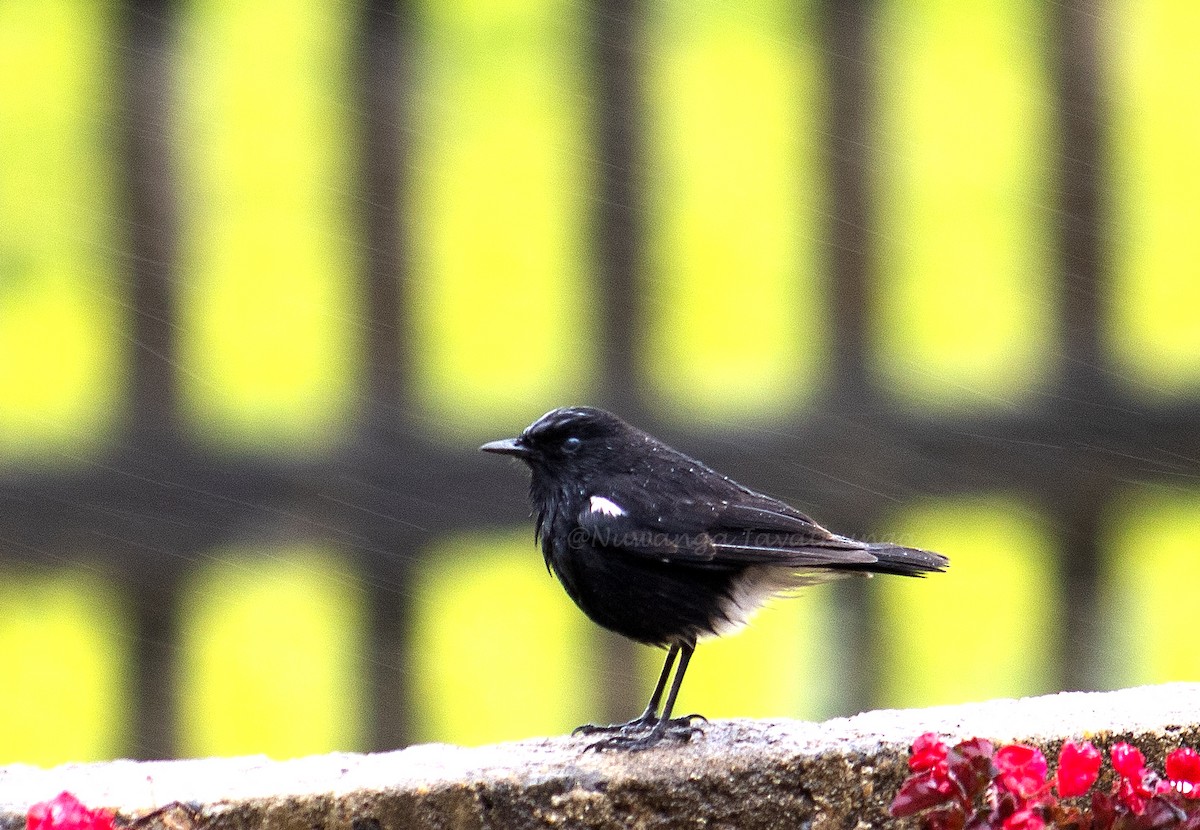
1075 28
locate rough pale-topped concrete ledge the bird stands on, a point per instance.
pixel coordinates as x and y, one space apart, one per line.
741 774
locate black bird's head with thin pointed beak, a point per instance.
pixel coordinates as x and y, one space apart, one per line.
567 444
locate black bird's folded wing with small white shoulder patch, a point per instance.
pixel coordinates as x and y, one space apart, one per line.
746 528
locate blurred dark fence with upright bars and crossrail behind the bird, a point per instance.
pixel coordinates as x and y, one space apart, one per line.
155 501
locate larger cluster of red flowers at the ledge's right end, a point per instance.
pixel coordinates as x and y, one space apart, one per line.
974 786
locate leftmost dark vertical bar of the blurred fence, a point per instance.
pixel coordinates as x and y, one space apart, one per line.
151 214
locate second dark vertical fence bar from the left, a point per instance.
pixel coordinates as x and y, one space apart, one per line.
382 87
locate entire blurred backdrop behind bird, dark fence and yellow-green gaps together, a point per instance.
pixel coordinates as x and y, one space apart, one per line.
269 275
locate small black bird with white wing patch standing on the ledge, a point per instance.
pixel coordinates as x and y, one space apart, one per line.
661 549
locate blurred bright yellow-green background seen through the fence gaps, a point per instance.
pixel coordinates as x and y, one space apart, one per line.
503 321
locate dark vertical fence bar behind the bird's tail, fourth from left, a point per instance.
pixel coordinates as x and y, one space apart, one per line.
849 62
